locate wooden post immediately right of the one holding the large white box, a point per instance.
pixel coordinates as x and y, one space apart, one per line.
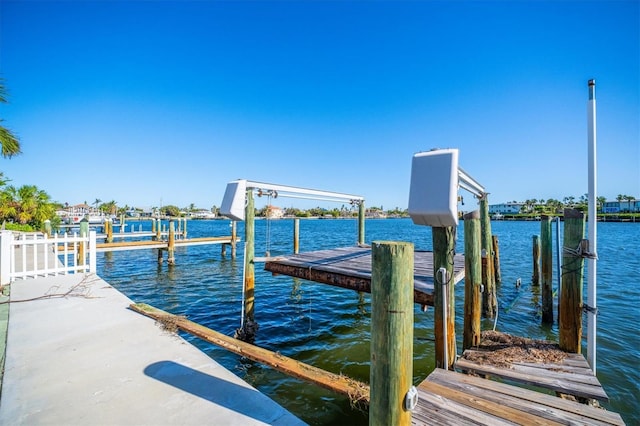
472 280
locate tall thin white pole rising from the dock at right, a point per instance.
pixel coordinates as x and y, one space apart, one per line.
592 221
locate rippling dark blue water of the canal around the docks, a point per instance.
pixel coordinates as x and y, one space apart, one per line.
329 327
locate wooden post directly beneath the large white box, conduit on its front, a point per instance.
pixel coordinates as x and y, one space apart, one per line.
443 254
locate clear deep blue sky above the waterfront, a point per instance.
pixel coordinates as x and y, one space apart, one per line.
157 101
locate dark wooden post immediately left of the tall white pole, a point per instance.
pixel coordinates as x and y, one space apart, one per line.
570 306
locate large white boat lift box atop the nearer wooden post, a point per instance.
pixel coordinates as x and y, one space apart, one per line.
433 194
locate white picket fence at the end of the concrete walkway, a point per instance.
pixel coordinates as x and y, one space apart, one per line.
31 255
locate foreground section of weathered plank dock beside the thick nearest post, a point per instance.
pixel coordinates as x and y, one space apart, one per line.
450 398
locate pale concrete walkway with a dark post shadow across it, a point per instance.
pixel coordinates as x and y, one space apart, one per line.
85 359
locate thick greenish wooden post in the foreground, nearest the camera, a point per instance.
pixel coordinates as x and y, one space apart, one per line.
391 373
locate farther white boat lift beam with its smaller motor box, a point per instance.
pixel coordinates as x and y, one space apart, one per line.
233 202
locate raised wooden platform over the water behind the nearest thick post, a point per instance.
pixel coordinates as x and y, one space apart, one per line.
350 267
